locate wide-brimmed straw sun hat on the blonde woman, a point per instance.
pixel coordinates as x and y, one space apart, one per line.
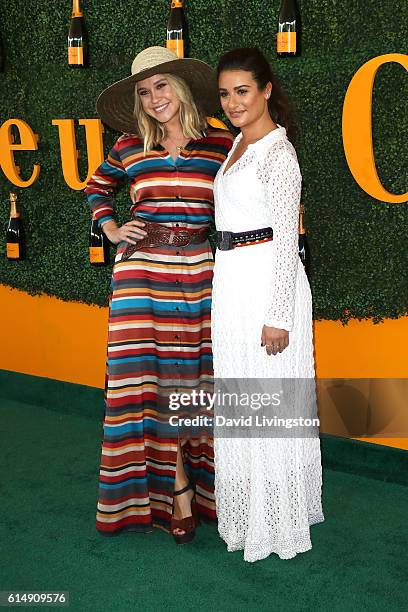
116 103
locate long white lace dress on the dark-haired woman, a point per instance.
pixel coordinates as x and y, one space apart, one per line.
268 491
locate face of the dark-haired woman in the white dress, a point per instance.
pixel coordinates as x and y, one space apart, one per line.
241 99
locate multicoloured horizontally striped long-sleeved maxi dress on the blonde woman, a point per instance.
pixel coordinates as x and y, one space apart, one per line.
159 331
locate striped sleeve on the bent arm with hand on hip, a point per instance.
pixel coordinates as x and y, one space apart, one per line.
103 184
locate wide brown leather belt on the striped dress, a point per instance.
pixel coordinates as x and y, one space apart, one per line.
158 235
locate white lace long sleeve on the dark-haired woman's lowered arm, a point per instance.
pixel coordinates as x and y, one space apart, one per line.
282 180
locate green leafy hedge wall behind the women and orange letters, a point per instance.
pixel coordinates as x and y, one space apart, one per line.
358 244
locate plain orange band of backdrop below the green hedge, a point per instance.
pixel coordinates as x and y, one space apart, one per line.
45 336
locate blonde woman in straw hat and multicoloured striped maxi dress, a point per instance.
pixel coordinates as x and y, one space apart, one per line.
159 318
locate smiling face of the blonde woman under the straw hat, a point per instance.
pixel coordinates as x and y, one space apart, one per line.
158 99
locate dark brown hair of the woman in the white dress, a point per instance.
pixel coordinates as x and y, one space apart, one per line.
252 60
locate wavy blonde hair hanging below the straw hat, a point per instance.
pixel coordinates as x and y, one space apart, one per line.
193 122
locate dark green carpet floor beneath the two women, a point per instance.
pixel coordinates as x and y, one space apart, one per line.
48 541
